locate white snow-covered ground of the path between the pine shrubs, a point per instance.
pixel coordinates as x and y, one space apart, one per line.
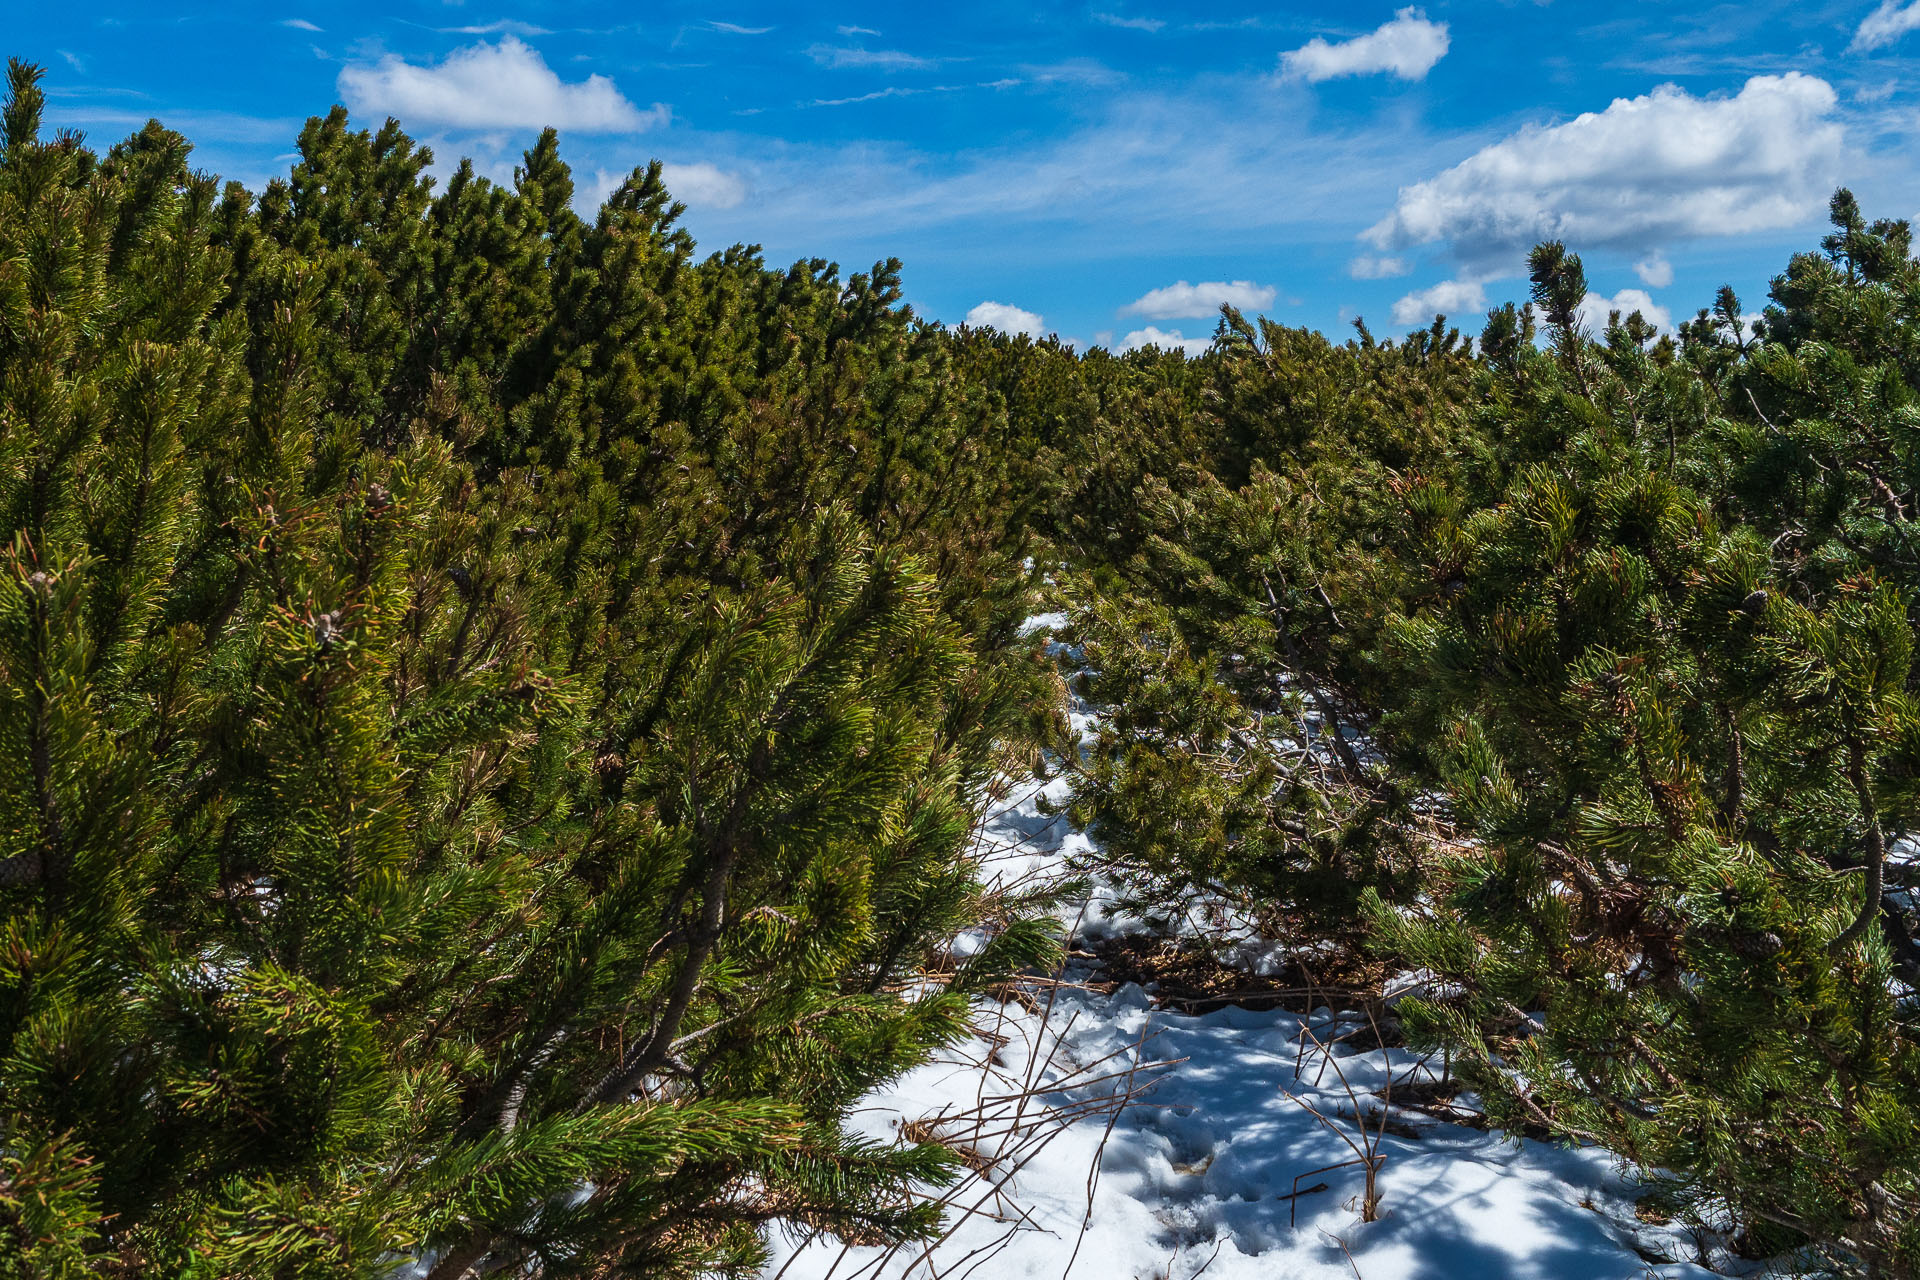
1220 1158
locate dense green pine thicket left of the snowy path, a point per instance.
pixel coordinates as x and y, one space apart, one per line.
492 715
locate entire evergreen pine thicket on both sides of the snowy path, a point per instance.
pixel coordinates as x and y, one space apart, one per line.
494 711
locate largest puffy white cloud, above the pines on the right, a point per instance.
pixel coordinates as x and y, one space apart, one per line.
1646 170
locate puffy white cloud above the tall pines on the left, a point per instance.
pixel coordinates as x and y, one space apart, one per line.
502 85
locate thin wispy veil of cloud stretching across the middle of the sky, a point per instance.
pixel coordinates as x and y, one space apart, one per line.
1149 166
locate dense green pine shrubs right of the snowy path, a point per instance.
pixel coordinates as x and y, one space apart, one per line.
1581 680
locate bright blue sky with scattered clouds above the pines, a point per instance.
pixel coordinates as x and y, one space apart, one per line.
1109 172
